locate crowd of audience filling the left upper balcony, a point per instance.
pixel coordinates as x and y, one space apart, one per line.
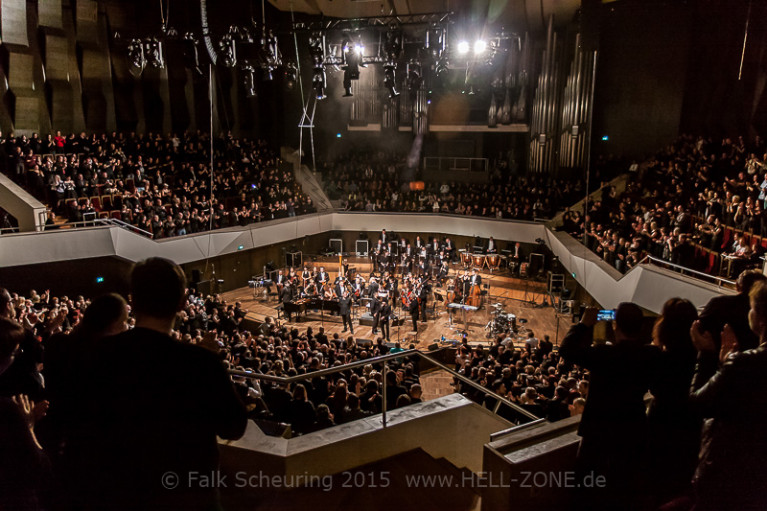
161 185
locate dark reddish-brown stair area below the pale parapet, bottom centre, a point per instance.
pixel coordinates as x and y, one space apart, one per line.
411 481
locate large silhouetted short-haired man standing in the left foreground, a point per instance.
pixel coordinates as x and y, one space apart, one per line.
159 405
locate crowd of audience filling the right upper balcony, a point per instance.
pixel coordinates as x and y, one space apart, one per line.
683 199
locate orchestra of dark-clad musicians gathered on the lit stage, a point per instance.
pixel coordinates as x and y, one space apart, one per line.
403 276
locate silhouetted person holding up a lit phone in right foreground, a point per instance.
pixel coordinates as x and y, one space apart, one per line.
614 422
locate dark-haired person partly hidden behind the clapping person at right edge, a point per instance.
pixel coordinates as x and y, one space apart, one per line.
732 310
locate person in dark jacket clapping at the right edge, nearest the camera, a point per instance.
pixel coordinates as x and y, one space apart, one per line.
728 390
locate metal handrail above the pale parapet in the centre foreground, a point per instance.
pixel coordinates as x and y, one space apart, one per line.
385 359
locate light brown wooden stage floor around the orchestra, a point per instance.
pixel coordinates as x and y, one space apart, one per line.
523 298
